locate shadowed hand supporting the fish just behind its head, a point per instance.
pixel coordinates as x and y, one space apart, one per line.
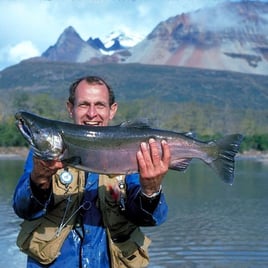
42 172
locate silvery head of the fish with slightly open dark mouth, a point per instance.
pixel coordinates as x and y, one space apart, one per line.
41 134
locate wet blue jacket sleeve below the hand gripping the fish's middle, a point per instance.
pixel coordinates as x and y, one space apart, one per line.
143 211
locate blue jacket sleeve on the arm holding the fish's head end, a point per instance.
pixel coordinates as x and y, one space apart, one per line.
27 203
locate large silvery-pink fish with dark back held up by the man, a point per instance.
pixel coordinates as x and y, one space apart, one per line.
113 149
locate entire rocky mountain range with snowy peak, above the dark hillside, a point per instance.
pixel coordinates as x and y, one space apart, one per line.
230 36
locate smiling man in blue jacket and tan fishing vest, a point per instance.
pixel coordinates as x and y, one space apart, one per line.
95 239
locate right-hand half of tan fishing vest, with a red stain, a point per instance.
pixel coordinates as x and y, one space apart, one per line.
127 243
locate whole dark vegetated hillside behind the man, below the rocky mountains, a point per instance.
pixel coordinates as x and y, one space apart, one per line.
208 103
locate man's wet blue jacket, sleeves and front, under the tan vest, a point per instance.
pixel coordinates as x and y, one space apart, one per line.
91 251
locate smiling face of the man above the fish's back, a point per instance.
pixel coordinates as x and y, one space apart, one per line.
91 105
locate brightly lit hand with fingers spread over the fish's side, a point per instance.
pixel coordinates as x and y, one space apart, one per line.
153 165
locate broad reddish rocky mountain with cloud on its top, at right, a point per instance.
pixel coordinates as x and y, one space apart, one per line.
231 36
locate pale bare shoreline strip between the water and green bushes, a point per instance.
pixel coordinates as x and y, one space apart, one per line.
15 153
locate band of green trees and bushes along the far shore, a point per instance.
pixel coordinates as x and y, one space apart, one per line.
207 122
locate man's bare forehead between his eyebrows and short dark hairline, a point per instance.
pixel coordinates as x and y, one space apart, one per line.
91 91
